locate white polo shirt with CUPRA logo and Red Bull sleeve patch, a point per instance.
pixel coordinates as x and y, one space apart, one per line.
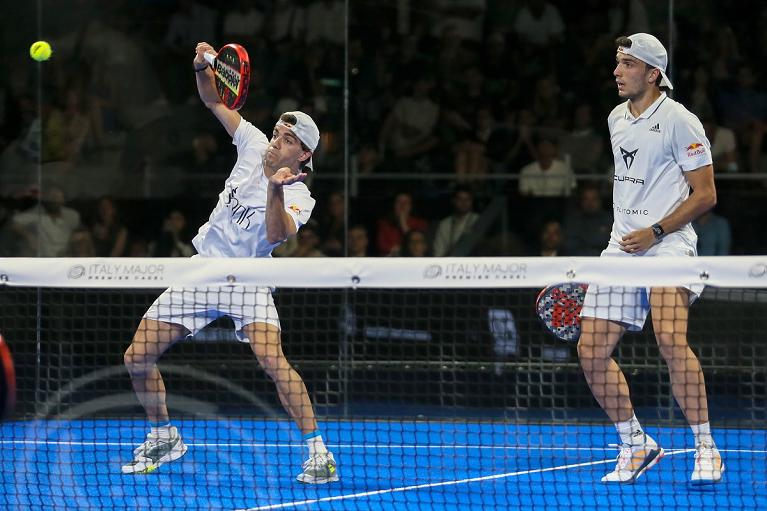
652 152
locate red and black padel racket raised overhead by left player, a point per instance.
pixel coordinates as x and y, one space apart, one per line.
231 68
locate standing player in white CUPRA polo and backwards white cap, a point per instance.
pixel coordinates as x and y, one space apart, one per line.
660 153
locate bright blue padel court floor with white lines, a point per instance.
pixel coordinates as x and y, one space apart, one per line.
415 465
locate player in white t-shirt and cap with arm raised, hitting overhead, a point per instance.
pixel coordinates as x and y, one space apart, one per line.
263 202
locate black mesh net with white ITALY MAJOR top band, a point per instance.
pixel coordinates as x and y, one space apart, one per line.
435 386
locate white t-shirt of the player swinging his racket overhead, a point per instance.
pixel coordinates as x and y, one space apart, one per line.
237 227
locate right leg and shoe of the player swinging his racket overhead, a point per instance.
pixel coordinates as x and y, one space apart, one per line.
266 343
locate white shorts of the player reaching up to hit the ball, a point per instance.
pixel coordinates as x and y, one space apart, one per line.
195 308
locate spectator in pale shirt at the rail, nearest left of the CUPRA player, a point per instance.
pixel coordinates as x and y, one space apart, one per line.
547 176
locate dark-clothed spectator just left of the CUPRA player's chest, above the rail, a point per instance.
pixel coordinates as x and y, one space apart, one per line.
583 146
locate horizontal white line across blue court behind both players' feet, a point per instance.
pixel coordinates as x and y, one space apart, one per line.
351 446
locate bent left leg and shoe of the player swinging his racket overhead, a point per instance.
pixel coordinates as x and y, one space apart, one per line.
163 443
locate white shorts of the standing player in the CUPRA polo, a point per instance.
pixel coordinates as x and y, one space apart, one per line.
630 305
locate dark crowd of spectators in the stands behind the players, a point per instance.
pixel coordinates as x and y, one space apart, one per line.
507 98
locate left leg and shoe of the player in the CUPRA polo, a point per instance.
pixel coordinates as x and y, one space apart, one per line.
608 384
